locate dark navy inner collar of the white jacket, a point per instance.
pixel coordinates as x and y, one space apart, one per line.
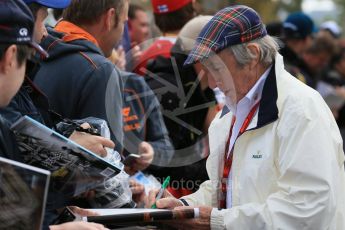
268 109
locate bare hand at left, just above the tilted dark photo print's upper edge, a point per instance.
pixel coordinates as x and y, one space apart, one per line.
93 143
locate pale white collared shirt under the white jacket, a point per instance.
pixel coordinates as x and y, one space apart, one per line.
241 111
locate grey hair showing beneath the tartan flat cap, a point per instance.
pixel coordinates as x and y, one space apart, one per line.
268 50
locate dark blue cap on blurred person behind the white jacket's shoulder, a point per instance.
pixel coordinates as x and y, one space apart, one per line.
298 25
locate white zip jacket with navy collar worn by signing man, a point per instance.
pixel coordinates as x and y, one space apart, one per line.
288 167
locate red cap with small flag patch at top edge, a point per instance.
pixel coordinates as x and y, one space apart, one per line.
167 6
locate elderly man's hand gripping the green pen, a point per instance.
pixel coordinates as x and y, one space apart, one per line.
167 201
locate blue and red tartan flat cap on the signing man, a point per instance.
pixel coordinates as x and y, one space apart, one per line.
230 26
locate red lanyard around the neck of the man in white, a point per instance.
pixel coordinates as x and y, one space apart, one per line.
228 157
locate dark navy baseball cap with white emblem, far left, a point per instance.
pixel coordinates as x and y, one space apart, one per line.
17 25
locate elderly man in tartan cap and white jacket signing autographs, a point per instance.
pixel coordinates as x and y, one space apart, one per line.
276 158
